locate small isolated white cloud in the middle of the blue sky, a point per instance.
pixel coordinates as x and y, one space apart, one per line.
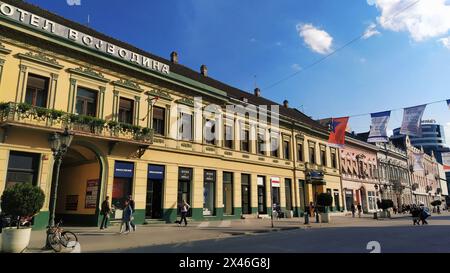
316 39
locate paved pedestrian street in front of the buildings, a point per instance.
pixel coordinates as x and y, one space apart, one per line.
344 234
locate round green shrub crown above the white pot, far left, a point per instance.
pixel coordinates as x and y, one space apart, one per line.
23 200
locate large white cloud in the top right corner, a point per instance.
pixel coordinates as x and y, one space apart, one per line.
423 20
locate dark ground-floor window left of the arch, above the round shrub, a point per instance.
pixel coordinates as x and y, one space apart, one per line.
22 168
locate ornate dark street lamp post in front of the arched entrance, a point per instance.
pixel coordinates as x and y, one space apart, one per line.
59 144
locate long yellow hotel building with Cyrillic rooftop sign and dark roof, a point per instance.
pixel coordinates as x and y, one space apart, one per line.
139 129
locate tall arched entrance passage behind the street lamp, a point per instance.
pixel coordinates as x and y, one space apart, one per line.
80 186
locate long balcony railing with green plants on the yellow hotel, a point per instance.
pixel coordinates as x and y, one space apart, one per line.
28 115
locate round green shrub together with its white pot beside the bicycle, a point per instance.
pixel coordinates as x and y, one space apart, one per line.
21 202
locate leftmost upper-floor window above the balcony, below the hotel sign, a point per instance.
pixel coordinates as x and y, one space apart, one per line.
37 90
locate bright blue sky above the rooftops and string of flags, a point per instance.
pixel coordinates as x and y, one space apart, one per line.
406 63
